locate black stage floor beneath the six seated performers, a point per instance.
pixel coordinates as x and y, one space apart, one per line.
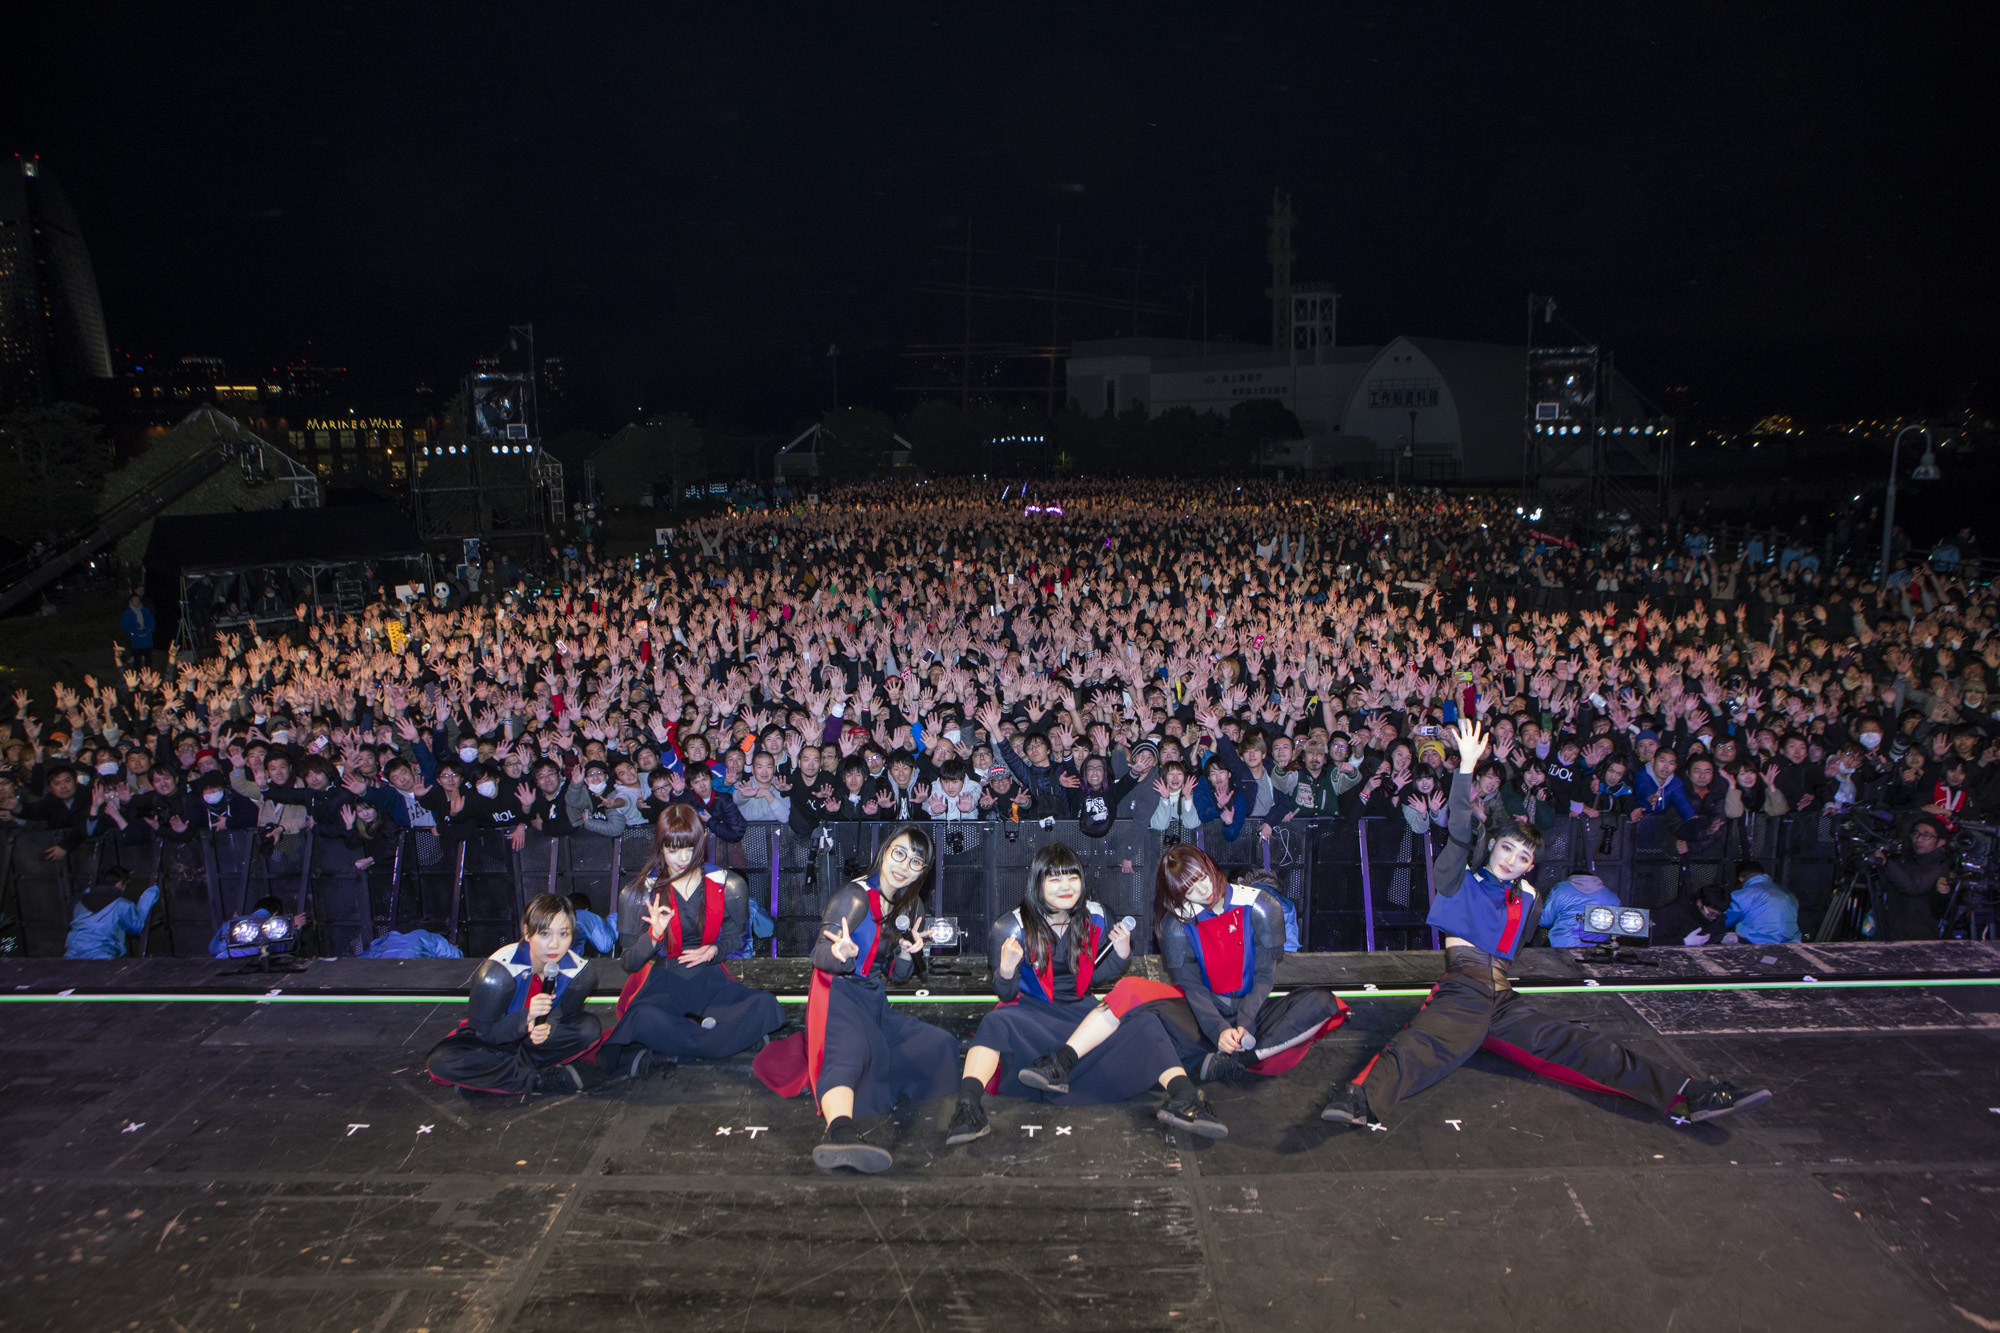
183 1160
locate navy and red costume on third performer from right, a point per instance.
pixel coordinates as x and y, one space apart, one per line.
1041 1008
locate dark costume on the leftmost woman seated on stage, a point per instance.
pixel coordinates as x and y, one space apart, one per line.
489 1052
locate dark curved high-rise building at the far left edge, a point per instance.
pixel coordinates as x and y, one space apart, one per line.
51 319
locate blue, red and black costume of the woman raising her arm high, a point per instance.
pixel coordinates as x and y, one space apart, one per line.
1473 1006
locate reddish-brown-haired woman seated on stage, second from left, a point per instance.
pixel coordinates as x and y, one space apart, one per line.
679 1000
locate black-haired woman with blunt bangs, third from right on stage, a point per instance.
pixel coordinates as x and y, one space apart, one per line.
1069 952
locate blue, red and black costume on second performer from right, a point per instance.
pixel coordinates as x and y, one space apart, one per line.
1223 958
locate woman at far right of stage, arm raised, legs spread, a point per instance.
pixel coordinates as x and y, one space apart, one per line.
1485 918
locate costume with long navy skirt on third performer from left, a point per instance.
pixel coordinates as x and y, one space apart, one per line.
853 1038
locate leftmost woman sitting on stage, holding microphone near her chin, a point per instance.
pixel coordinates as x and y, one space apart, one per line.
527 1026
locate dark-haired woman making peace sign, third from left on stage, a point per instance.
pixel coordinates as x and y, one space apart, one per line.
857 1054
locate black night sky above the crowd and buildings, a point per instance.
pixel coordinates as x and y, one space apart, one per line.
1779 207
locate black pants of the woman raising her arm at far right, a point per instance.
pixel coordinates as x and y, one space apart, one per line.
1471 1008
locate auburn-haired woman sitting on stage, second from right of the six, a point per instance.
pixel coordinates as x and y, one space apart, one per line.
1221 944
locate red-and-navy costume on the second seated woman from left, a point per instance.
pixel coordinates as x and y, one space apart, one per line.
665 1002
